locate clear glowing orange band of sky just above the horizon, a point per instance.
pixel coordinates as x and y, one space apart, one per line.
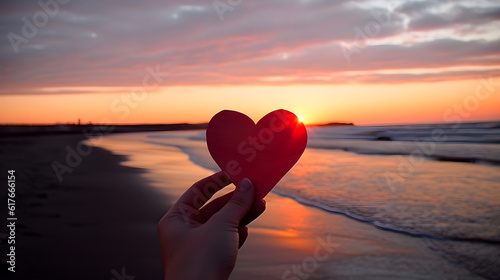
361 104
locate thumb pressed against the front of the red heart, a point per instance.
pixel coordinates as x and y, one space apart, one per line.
238 206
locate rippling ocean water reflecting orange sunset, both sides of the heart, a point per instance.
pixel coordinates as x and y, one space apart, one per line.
437 182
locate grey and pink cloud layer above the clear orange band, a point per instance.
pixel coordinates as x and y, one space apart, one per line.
110 43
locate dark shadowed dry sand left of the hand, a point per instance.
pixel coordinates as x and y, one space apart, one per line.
101 217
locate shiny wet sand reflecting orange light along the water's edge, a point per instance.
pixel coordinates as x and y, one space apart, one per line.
287 233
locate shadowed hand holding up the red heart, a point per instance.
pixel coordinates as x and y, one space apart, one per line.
202 243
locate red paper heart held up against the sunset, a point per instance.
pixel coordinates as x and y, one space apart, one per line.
262 152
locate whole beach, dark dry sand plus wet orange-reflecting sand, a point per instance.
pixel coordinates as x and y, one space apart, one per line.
100 221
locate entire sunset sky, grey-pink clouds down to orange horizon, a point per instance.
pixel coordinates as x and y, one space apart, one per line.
131 61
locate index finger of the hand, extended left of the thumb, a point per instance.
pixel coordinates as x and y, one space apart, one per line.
200 192
